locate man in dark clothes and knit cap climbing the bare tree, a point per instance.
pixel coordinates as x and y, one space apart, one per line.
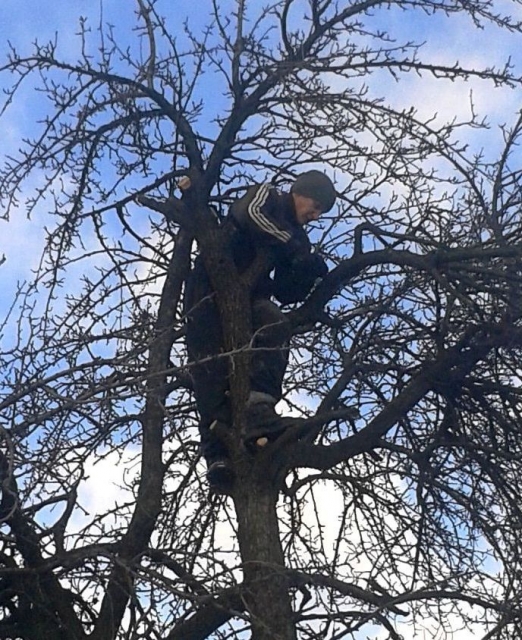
263 220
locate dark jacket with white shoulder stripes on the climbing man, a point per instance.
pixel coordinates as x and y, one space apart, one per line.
265 219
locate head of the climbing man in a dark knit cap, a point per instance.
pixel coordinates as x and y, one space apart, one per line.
313 194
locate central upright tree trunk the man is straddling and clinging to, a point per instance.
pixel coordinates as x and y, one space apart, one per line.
265 586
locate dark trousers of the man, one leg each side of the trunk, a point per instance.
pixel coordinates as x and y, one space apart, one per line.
210 367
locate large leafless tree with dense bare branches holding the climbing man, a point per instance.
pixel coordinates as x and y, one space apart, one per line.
405 357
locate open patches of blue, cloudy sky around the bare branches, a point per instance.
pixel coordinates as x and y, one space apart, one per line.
22 21
